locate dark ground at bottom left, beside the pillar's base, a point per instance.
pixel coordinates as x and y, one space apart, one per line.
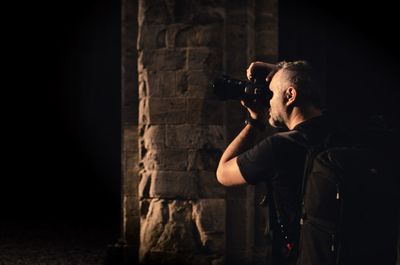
54 243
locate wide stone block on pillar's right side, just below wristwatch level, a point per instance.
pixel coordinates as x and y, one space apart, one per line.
192 136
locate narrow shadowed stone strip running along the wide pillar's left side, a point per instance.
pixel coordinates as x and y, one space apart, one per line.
129 103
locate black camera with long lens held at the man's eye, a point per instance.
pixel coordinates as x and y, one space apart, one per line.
226 87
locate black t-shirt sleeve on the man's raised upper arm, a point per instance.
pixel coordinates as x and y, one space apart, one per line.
257 164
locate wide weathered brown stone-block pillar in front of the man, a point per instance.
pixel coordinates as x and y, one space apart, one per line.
182 206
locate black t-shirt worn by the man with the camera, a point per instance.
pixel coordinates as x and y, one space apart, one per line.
280 161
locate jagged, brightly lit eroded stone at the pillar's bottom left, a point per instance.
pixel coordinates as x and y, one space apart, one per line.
169 236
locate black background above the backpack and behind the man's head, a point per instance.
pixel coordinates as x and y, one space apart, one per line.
354 47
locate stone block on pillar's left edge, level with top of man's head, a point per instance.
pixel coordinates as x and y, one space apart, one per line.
162 59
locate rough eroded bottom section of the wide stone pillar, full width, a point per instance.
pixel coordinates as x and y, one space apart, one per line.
182 232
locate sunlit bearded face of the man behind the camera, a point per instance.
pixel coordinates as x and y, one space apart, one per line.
277 111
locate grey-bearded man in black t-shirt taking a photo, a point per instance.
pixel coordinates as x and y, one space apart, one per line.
276 160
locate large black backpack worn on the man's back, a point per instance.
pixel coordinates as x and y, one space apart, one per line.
350 204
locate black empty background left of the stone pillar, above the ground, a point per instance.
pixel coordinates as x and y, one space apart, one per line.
62 114
